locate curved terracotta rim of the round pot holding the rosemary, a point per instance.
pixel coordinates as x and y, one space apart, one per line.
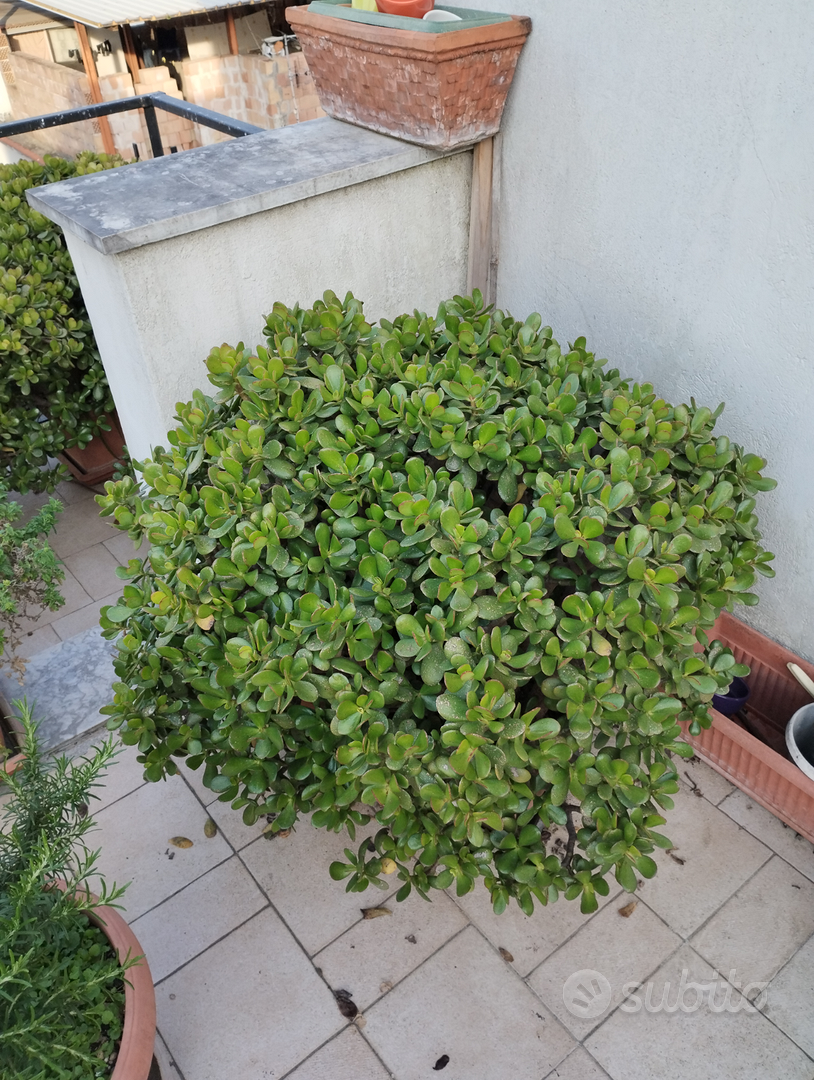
134 1061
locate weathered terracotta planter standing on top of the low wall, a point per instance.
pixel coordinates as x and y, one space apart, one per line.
438 90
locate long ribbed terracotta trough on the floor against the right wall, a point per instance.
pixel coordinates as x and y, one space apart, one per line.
761 766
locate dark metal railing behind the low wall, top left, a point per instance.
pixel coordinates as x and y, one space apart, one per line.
147 102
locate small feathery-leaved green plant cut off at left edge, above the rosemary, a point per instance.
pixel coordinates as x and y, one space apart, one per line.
30 582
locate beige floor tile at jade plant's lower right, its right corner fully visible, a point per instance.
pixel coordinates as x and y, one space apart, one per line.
717 859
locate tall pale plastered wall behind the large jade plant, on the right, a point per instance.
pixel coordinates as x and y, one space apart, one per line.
658 196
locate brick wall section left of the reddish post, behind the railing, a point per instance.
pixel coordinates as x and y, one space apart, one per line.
43 87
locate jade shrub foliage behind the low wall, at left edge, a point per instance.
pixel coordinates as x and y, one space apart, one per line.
53 390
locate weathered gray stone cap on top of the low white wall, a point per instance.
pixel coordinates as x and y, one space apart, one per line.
155 200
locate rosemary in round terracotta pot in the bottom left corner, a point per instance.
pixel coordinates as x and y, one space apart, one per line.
76 994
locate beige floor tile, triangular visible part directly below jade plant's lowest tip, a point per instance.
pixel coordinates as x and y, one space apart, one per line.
530 939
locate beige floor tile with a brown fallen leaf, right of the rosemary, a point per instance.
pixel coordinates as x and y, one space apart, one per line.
134 836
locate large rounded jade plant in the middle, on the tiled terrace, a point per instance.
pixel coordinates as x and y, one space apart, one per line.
442 572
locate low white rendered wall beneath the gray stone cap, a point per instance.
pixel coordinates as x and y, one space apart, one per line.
398 242
